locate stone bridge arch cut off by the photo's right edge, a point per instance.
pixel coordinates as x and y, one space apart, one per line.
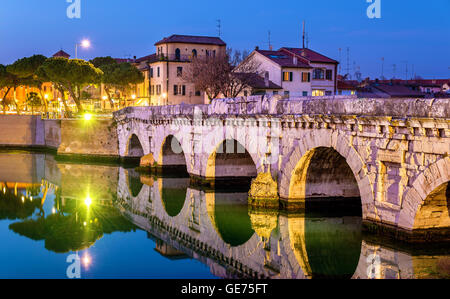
429 184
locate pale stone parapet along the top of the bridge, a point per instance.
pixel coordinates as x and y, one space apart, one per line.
276 105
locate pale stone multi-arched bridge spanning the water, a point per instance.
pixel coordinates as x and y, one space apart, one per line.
390 153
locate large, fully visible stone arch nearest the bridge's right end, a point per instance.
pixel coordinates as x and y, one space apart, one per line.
341 159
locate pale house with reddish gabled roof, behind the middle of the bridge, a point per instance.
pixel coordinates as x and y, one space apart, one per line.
298 71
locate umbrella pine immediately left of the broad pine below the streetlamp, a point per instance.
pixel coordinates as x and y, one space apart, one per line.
25 69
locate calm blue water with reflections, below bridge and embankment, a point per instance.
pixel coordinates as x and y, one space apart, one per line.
124 225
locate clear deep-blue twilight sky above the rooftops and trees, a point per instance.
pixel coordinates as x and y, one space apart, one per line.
410 32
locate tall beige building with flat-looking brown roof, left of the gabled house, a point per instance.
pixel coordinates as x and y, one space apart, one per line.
164 83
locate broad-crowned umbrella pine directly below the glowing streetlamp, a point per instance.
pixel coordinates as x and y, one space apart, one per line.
72 75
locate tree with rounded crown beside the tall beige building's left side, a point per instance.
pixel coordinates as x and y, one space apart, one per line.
120 77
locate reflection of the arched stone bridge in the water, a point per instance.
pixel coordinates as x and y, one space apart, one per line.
189 222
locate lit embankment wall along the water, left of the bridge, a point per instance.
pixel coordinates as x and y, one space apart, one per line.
79 140
